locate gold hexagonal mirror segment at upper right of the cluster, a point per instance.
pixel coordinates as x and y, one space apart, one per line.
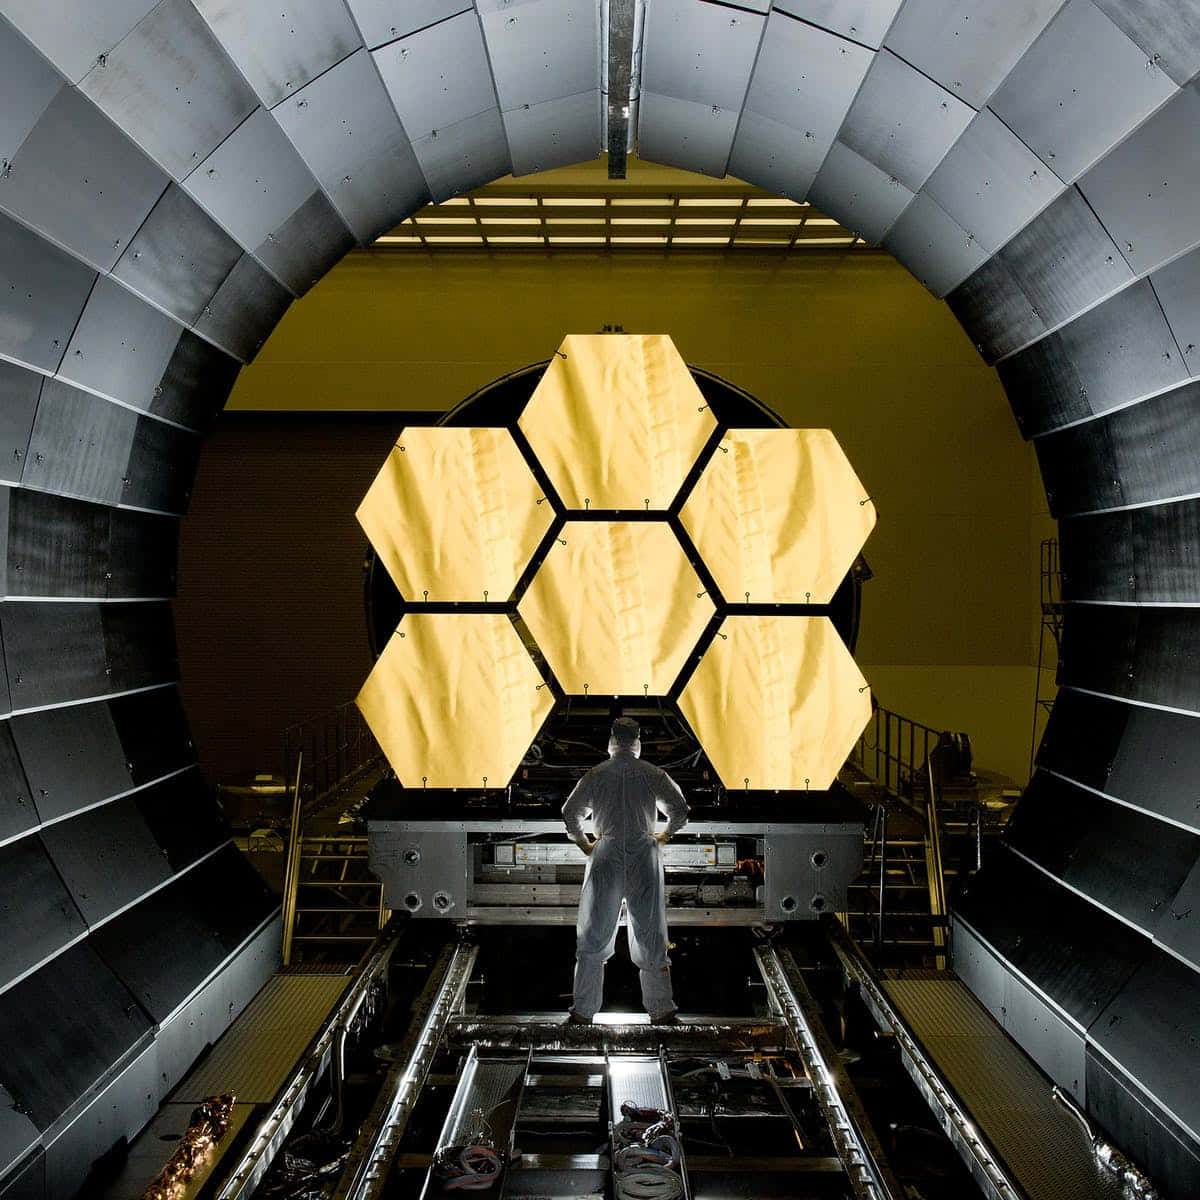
778 517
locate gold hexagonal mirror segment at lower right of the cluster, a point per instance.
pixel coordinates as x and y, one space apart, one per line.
777 703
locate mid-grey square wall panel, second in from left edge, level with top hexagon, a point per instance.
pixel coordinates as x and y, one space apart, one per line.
80 446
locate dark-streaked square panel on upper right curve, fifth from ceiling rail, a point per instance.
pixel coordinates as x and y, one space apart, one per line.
1065 261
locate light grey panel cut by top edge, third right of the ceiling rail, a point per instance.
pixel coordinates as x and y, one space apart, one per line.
970 46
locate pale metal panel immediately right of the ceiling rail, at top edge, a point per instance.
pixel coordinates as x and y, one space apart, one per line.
699 52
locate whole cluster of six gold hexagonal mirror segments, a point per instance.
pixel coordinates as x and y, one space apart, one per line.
615 607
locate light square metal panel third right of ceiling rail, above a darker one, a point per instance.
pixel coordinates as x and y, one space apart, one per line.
903 122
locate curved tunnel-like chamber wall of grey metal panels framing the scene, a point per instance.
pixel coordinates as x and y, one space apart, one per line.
173 173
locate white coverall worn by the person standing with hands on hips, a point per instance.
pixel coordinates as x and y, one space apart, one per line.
623 796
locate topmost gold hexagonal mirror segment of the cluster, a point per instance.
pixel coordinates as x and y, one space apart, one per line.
617 422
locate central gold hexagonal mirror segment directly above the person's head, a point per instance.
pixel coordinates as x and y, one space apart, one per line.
616 608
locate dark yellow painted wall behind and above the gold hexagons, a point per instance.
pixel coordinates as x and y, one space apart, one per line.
838 339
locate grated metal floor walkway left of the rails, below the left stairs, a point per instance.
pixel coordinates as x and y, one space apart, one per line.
257 1052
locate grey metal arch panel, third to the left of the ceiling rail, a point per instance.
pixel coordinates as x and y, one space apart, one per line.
349 134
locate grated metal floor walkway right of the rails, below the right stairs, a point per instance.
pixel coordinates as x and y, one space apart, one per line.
1006 1094
